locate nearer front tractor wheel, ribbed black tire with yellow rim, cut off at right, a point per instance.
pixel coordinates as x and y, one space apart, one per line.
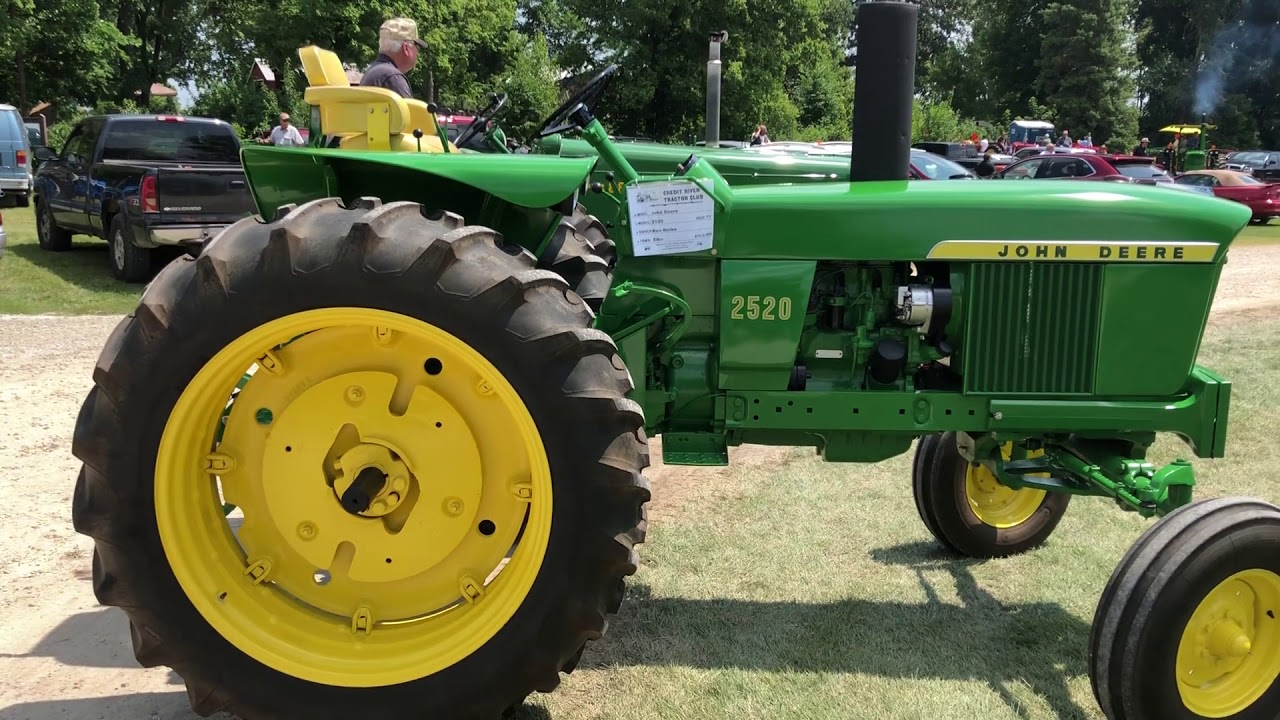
1188 626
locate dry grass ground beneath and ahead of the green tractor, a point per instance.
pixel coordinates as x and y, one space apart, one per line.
810 591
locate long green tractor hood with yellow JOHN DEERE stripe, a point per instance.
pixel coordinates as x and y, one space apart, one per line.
979 221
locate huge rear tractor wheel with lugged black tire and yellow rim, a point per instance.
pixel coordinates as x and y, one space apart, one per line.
438 472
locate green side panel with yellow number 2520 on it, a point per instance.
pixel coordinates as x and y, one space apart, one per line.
762 312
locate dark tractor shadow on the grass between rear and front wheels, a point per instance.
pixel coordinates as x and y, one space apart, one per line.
1037 646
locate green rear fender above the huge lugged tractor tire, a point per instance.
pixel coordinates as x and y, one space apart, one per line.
518 195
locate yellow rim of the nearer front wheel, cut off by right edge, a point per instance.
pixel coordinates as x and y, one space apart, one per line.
1229 654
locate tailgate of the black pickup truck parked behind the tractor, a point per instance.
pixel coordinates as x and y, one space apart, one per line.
195 194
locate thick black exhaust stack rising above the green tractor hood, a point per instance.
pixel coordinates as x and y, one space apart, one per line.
884 88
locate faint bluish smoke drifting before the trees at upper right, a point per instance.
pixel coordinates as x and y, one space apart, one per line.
1244 49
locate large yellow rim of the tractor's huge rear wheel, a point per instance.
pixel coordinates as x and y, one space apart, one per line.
428 571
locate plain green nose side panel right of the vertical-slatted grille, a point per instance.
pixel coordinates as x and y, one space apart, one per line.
1155 361
